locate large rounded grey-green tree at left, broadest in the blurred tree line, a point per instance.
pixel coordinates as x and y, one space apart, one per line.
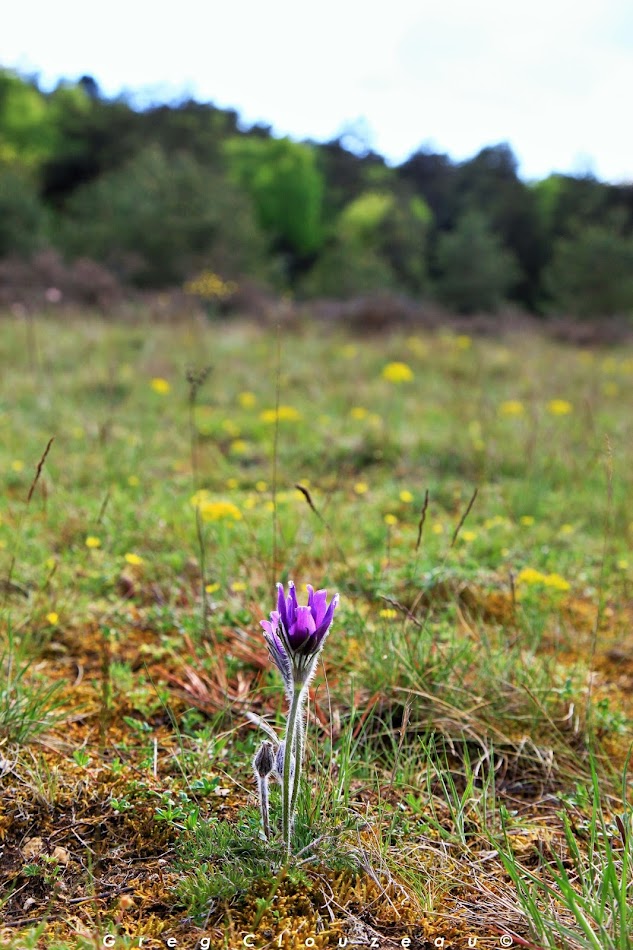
159 217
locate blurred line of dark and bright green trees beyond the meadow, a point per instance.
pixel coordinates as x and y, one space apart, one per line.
156 194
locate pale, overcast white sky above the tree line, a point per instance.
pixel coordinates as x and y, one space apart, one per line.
553 78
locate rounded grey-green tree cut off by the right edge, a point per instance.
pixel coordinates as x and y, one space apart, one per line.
591 273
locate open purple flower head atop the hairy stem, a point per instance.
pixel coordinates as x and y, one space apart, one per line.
296 634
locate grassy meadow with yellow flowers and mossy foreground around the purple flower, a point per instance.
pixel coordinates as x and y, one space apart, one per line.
469 726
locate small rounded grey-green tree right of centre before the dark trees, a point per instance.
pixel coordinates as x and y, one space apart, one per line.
475 269
